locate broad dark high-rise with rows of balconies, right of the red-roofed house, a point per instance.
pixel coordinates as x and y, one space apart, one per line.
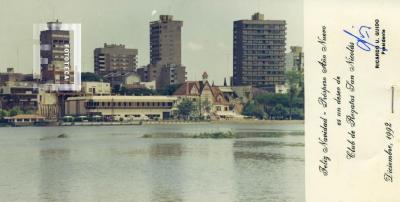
259 52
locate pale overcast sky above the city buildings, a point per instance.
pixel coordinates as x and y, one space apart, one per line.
206 33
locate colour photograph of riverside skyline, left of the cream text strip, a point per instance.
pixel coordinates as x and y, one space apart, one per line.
152 101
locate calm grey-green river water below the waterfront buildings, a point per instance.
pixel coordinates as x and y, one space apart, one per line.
113 163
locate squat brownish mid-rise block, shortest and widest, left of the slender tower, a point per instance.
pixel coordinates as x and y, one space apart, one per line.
114 58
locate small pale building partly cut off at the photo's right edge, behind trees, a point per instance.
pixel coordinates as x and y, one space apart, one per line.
294 60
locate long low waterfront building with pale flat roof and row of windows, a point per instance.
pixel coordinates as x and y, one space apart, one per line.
125 107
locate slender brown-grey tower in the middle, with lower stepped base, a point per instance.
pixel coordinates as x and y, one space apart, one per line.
165 53
